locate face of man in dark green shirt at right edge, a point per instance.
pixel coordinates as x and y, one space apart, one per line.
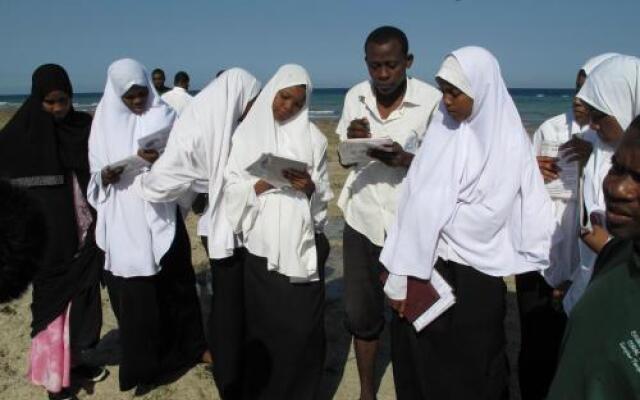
622 190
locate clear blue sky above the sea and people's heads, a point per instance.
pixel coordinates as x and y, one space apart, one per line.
539 43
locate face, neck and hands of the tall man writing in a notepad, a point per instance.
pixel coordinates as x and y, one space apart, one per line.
387 65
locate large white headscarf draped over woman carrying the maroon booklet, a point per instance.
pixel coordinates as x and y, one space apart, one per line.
476 183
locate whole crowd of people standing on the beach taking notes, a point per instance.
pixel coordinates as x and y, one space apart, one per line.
461 194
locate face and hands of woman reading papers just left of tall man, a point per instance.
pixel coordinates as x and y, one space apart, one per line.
287 103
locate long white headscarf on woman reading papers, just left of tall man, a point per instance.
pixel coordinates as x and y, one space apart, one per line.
286 234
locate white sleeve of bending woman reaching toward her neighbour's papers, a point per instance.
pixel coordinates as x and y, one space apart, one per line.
181 167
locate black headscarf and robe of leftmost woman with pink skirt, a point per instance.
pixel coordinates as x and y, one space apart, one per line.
33 144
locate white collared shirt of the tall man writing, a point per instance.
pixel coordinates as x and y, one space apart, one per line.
369 196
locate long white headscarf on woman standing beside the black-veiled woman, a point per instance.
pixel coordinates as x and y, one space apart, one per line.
133 233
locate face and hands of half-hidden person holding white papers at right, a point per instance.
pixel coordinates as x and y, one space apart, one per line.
575 149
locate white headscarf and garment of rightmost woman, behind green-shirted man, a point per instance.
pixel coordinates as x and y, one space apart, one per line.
613 87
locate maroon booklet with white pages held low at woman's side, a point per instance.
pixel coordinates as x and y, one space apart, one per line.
426 299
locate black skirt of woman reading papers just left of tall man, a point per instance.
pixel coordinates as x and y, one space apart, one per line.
284 332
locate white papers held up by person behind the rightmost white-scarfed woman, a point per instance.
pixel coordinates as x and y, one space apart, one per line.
566 186
